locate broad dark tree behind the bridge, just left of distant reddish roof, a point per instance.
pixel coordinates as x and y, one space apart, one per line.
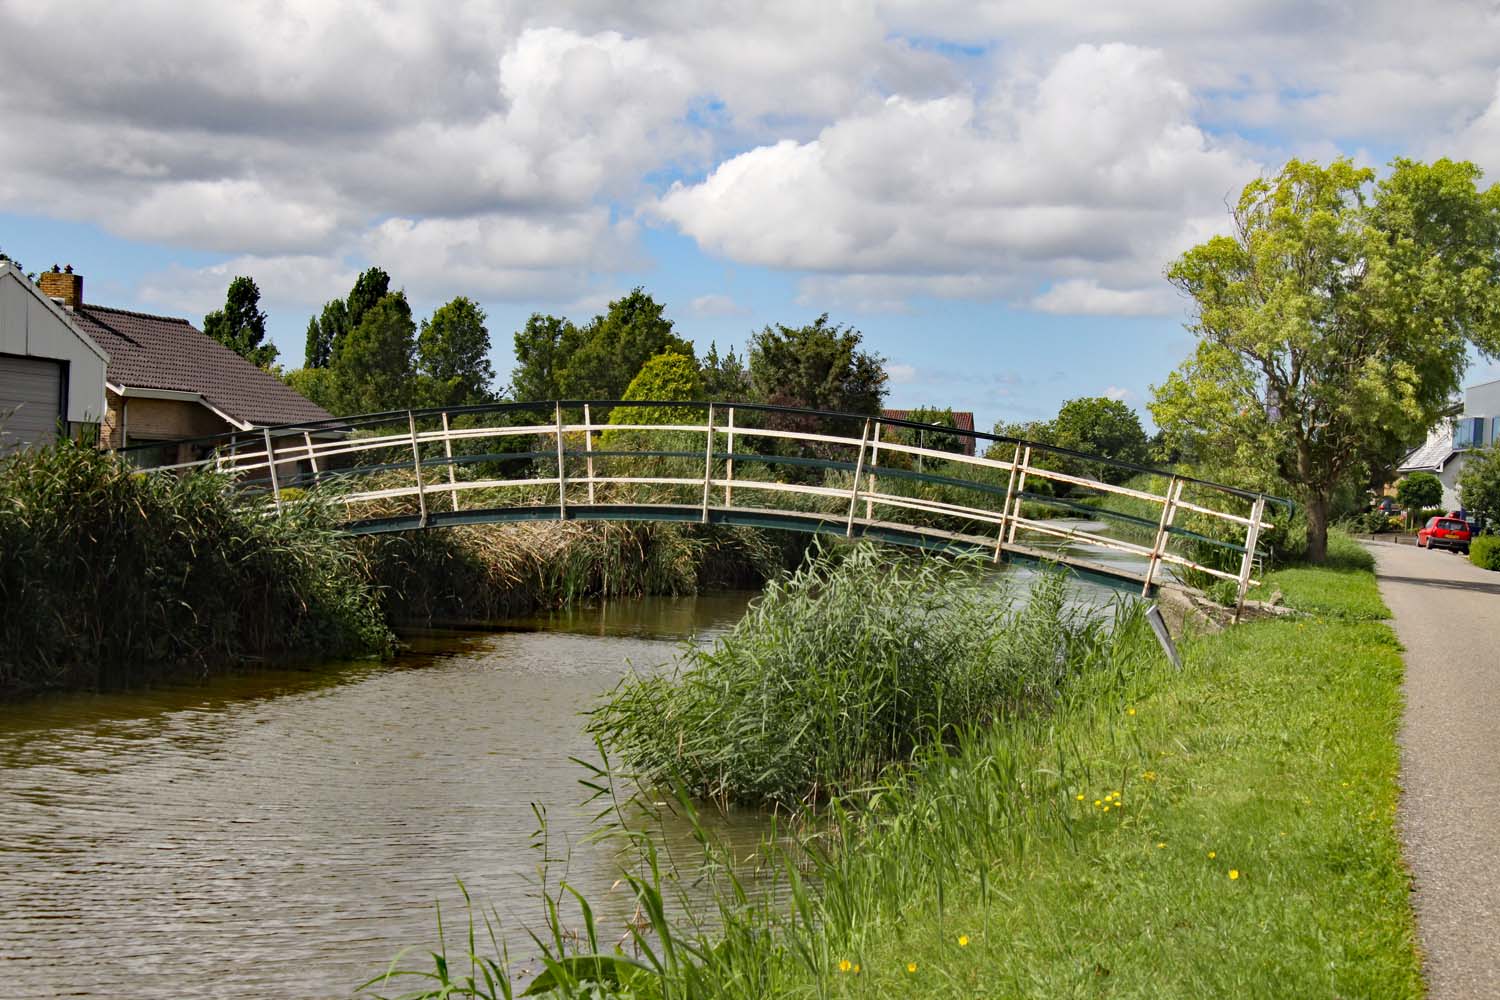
820 367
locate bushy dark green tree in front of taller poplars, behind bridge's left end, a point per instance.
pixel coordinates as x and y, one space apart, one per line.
373 367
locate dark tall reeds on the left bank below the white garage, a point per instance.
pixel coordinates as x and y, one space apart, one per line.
112 578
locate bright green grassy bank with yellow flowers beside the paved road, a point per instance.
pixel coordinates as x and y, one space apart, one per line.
1220 831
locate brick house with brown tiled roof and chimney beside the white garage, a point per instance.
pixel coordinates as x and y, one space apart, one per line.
166 380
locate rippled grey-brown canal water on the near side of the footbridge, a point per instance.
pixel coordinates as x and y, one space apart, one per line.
284 834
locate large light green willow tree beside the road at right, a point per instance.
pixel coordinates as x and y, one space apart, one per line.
1334 325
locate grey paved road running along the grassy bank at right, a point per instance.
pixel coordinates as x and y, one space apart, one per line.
1448 615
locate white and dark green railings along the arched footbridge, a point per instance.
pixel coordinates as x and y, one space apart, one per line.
265 451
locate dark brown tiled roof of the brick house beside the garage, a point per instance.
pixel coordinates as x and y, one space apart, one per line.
172 355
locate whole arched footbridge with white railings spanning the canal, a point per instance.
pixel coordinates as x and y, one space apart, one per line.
751 466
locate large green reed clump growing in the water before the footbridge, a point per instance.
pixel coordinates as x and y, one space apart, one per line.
844 669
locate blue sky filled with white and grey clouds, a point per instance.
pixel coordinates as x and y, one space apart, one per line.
988 191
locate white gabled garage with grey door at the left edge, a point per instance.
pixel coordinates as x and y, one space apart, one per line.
52 376
